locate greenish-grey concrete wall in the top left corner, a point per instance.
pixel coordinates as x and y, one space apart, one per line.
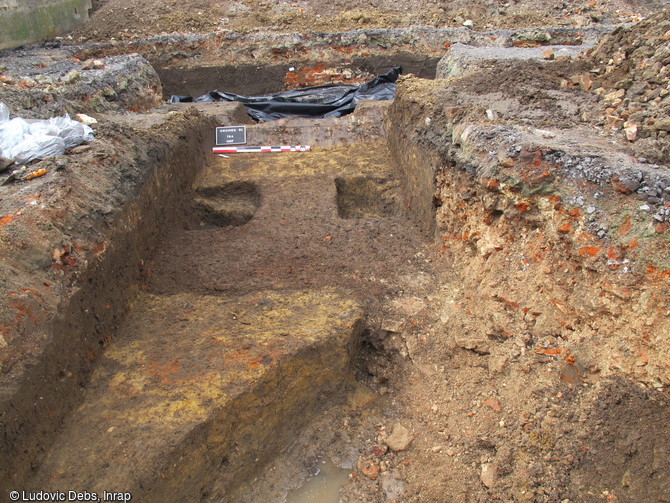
26 21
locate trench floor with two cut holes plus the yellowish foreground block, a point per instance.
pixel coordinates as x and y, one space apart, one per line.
245 328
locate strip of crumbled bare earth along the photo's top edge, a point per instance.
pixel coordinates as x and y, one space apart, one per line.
128 19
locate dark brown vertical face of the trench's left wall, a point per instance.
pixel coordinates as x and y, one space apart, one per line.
112 261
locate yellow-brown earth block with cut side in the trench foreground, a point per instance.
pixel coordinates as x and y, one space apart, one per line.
198 388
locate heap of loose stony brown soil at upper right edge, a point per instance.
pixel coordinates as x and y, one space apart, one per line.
632 74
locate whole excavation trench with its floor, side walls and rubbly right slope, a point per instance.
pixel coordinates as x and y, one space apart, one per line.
242 318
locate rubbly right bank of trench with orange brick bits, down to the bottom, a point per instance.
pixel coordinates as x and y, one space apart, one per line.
535 366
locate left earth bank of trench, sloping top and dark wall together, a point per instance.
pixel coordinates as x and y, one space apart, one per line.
73 242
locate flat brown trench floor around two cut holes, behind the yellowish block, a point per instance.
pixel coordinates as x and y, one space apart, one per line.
296 237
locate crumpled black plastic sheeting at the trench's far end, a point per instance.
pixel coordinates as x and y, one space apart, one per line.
331 100
